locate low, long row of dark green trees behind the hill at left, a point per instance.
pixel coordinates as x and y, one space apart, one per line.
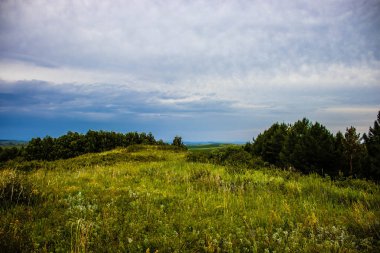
74 144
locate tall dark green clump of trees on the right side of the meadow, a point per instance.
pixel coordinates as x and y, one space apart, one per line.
311 147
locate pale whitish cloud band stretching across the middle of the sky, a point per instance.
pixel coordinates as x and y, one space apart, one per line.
238 88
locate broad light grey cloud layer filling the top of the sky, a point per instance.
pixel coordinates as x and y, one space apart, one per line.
171 39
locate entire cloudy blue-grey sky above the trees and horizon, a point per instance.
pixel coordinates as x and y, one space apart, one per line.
212 70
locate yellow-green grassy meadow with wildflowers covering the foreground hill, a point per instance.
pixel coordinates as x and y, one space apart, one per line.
147 199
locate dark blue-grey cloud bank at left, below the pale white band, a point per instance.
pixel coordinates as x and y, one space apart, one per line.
96 100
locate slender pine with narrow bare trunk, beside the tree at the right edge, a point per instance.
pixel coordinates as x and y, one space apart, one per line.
351 147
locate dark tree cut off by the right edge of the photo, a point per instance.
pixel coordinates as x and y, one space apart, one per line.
372 143
